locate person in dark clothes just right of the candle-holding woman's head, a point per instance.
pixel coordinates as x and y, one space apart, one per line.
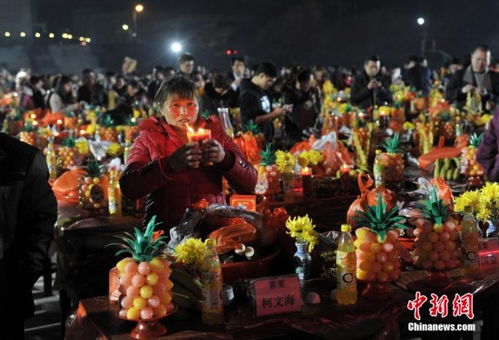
218 94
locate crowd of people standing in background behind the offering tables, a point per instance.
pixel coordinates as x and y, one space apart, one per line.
261 93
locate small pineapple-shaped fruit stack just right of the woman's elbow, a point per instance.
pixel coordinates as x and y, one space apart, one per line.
268 174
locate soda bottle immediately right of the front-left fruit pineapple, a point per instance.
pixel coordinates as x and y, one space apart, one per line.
212 308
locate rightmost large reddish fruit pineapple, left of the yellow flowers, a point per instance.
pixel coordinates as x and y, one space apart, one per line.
436 245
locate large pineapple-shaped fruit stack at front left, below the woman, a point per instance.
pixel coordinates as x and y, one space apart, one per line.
145 277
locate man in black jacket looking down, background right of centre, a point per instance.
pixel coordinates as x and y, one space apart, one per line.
369 88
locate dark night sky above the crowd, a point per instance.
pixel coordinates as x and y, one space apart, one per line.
284 31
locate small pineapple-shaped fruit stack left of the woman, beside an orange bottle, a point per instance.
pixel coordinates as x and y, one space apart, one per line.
93 187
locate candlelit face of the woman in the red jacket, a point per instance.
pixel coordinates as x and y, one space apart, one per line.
180 112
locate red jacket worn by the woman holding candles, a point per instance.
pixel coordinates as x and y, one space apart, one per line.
169 192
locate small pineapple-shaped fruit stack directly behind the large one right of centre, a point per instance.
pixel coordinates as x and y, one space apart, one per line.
393 163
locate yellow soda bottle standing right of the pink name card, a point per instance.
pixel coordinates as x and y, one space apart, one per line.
346 284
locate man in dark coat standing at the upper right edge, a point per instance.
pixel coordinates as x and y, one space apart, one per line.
476 78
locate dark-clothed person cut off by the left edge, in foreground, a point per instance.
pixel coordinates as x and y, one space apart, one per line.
27 216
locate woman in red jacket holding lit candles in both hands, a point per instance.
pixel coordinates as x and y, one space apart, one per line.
171 172
